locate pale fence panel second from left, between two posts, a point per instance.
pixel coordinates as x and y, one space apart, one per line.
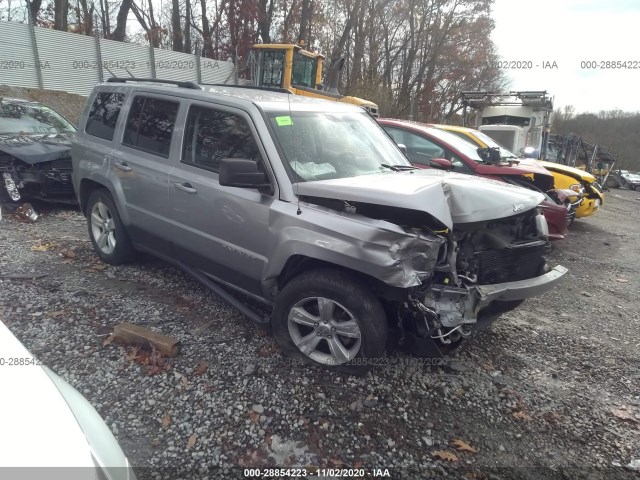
69 61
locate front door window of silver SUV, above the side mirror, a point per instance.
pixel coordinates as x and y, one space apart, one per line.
212 135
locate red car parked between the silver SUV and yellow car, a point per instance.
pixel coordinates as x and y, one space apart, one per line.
429 147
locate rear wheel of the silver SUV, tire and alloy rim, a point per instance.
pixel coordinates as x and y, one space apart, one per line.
108 235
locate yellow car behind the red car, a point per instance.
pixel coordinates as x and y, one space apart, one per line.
564 177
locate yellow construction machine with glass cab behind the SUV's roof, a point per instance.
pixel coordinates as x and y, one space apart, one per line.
299 71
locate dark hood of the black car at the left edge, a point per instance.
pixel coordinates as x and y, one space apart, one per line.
33 149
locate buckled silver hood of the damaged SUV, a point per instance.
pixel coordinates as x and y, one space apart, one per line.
450 197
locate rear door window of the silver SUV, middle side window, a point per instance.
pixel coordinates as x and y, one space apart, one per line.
150 125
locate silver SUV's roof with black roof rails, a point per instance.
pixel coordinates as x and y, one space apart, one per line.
266 99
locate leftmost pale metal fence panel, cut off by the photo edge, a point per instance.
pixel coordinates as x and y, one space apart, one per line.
17 62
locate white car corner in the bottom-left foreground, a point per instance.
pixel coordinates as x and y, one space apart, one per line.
47 423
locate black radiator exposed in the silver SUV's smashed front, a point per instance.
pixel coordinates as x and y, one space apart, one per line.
510 264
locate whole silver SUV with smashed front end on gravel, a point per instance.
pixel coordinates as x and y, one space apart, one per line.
309 207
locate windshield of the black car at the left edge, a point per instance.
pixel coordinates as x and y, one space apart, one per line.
29 118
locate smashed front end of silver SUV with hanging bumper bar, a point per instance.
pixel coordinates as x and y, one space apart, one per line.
488 268
